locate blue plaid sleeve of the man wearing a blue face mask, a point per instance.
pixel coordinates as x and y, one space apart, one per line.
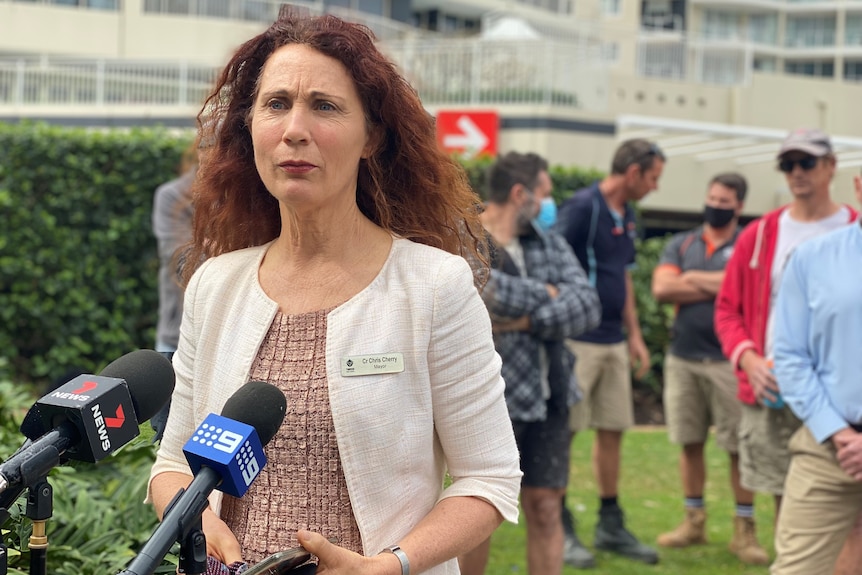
576 309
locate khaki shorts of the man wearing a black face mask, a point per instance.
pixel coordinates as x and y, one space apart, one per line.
698 394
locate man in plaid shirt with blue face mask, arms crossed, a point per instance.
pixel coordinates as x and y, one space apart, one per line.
537 295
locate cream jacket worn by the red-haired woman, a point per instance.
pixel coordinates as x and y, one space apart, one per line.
398 434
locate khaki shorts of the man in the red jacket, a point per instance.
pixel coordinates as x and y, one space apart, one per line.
764 456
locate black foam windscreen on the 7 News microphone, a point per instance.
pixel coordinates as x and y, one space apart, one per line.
150 377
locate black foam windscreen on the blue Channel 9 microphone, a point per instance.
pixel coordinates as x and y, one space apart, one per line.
259 404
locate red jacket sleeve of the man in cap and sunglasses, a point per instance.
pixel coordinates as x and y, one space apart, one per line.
730 324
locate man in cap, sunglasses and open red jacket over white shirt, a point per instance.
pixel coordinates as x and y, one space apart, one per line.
744 320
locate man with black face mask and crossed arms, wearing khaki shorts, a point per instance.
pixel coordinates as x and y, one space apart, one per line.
699 382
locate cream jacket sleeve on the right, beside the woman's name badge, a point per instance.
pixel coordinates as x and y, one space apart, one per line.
470 414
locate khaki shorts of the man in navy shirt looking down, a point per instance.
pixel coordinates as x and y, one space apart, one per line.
604 376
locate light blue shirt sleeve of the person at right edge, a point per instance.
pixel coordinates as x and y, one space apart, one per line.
794 358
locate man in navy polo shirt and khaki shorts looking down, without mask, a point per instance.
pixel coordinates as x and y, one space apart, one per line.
599 224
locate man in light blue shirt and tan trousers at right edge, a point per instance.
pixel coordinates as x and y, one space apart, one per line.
818 365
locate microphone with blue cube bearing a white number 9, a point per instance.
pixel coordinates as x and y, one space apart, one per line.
226 453
